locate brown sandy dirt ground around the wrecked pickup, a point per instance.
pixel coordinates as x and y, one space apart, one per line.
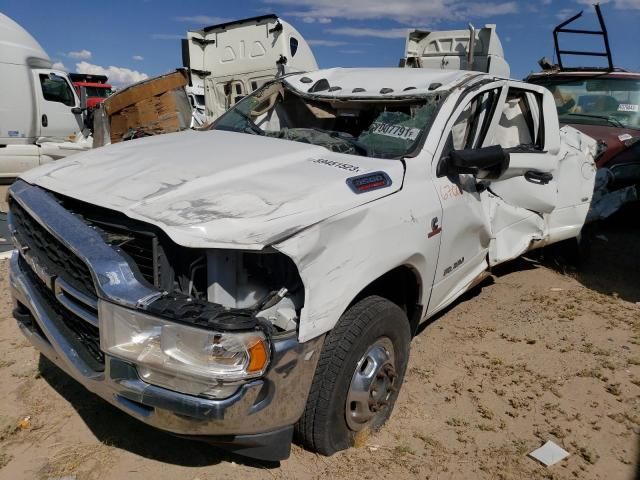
535 353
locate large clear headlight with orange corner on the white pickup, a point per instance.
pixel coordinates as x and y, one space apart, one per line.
179 357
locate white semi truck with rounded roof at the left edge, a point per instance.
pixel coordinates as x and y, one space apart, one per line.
40 114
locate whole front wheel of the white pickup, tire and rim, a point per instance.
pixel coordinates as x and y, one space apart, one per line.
358 376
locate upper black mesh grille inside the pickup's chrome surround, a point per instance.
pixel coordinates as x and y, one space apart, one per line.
49 252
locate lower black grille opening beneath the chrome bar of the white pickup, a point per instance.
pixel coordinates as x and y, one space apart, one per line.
83 336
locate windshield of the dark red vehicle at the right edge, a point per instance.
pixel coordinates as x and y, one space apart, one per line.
596 101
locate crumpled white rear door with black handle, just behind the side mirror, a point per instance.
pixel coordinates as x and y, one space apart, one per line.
518 204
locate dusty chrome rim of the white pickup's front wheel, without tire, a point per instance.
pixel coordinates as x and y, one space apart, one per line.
371 385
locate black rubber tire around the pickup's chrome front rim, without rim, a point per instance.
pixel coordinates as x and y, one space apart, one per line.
323 427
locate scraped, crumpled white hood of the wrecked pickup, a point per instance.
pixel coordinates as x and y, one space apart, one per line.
215 189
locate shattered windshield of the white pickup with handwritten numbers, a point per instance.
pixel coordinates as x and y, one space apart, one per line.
383 128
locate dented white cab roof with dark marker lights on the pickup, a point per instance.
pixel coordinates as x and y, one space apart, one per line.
378 82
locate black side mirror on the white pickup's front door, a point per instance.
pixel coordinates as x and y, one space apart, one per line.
487 163
